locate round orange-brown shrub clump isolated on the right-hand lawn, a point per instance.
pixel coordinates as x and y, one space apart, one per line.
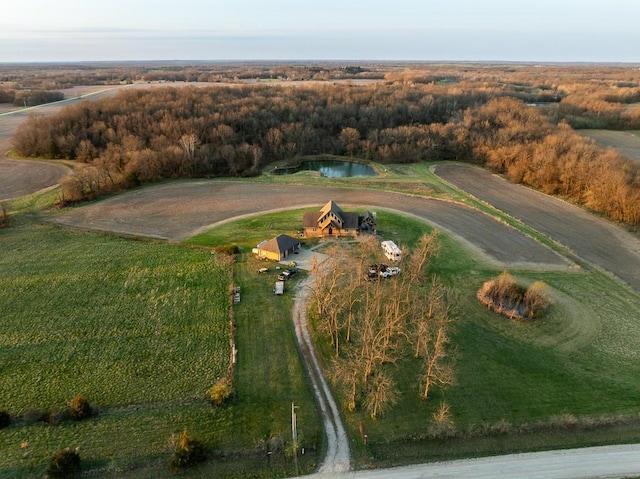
504 296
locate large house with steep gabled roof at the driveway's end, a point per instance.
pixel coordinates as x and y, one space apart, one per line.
332 221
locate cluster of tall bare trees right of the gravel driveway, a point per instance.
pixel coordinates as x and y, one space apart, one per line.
371 325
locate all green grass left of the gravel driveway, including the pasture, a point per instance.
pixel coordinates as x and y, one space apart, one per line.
141 329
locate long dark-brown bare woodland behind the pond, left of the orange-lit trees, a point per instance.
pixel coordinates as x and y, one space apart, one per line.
142 136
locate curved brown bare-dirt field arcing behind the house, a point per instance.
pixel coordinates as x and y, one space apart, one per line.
177 210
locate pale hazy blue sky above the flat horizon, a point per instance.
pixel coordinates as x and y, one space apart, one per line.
394 30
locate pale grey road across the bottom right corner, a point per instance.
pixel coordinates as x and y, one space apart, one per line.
587 463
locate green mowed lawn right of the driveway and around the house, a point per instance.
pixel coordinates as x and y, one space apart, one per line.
567 380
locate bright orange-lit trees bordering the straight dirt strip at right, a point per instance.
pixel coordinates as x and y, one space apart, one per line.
524 145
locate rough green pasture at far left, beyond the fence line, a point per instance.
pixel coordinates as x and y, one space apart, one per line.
139 329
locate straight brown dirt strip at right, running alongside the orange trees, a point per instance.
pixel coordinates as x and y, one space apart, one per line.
591 238
